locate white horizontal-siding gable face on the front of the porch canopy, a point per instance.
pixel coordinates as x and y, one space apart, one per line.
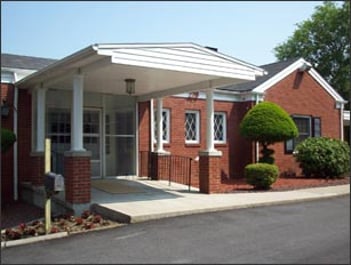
184 57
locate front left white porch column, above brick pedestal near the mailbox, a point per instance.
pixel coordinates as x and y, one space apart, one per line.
77 114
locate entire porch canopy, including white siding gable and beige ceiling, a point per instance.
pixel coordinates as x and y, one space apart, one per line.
159 69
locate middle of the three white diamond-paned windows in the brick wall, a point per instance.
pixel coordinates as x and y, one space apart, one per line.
192 126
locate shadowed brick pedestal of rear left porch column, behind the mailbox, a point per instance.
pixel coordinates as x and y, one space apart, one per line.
37 168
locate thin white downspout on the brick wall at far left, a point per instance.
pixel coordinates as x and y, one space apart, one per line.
15 146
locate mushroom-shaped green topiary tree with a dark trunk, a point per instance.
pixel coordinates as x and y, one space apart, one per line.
267 123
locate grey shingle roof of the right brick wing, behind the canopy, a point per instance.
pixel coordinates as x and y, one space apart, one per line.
272 69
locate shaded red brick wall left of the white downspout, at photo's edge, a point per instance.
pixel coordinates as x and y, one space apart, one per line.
7 93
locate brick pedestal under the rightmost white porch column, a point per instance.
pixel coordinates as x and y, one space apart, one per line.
210 172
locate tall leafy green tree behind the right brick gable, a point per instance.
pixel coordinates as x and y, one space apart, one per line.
324 41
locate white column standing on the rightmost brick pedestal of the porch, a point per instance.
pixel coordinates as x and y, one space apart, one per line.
209 121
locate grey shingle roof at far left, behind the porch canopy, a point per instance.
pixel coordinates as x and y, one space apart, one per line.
24 62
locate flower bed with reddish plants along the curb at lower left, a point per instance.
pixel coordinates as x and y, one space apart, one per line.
63 223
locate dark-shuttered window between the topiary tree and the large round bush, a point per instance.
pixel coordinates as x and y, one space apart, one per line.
307 127
